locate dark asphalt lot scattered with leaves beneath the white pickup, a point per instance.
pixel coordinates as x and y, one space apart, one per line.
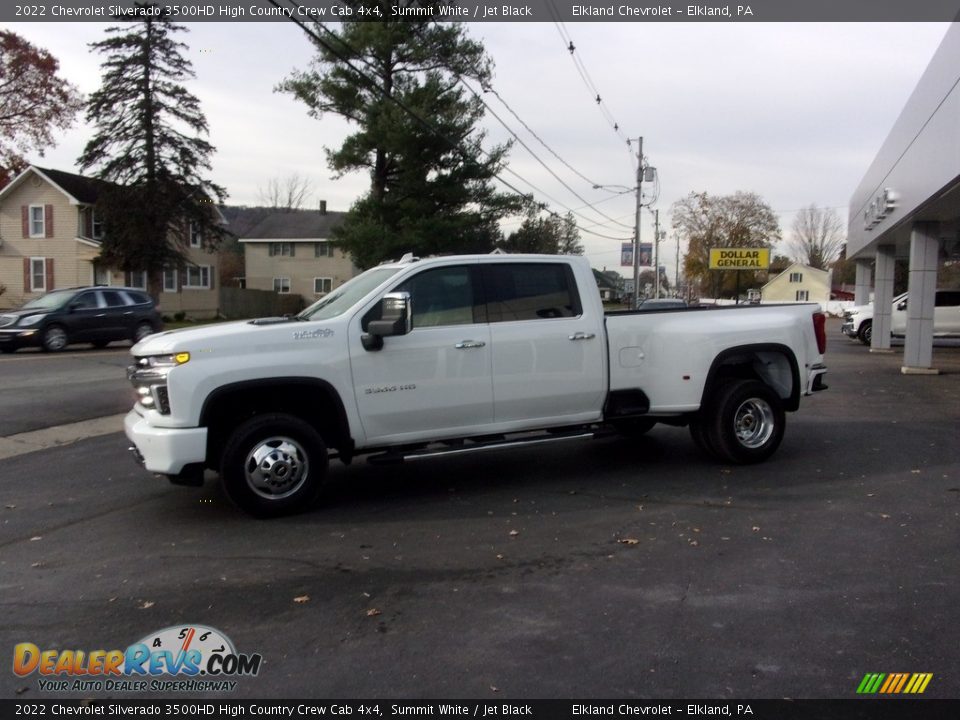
610 568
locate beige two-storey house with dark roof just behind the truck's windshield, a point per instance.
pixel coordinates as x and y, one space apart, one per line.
290 252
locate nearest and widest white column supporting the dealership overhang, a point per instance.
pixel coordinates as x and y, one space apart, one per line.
922 287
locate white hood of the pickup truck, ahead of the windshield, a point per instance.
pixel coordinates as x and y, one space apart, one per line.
240 336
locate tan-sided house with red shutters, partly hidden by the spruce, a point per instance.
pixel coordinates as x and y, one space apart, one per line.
50 237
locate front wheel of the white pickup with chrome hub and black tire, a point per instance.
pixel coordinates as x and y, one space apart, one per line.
273 465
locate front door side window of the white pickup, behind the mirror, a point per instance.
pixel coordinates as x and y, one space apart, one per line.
443 296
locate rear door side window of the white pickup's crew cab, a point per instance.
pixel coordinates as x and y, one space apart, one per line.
530 291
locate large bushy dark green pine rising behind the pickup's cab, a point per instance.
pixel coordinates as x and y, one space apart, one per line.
431 187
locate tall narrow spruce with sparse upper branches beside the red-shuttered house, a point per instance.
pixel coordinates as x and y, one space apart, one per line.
157 195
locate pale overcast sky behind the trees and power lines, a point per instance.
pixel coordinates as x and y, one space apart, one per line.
794 112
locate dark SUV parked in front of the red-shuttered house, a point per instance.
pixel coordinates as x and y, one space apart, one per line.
96 315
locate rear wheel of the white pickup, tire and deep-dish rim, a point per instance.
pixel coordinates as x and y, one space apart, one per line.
744 423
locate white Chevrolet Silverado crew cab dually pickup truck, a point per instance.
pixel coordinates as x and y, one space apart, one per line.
457 354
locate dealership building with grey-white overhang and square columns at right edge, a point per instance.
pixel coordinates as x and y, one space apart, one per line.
908 206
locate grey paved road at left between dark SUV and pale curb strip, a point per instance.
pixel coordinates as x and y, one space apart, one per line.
39 390
